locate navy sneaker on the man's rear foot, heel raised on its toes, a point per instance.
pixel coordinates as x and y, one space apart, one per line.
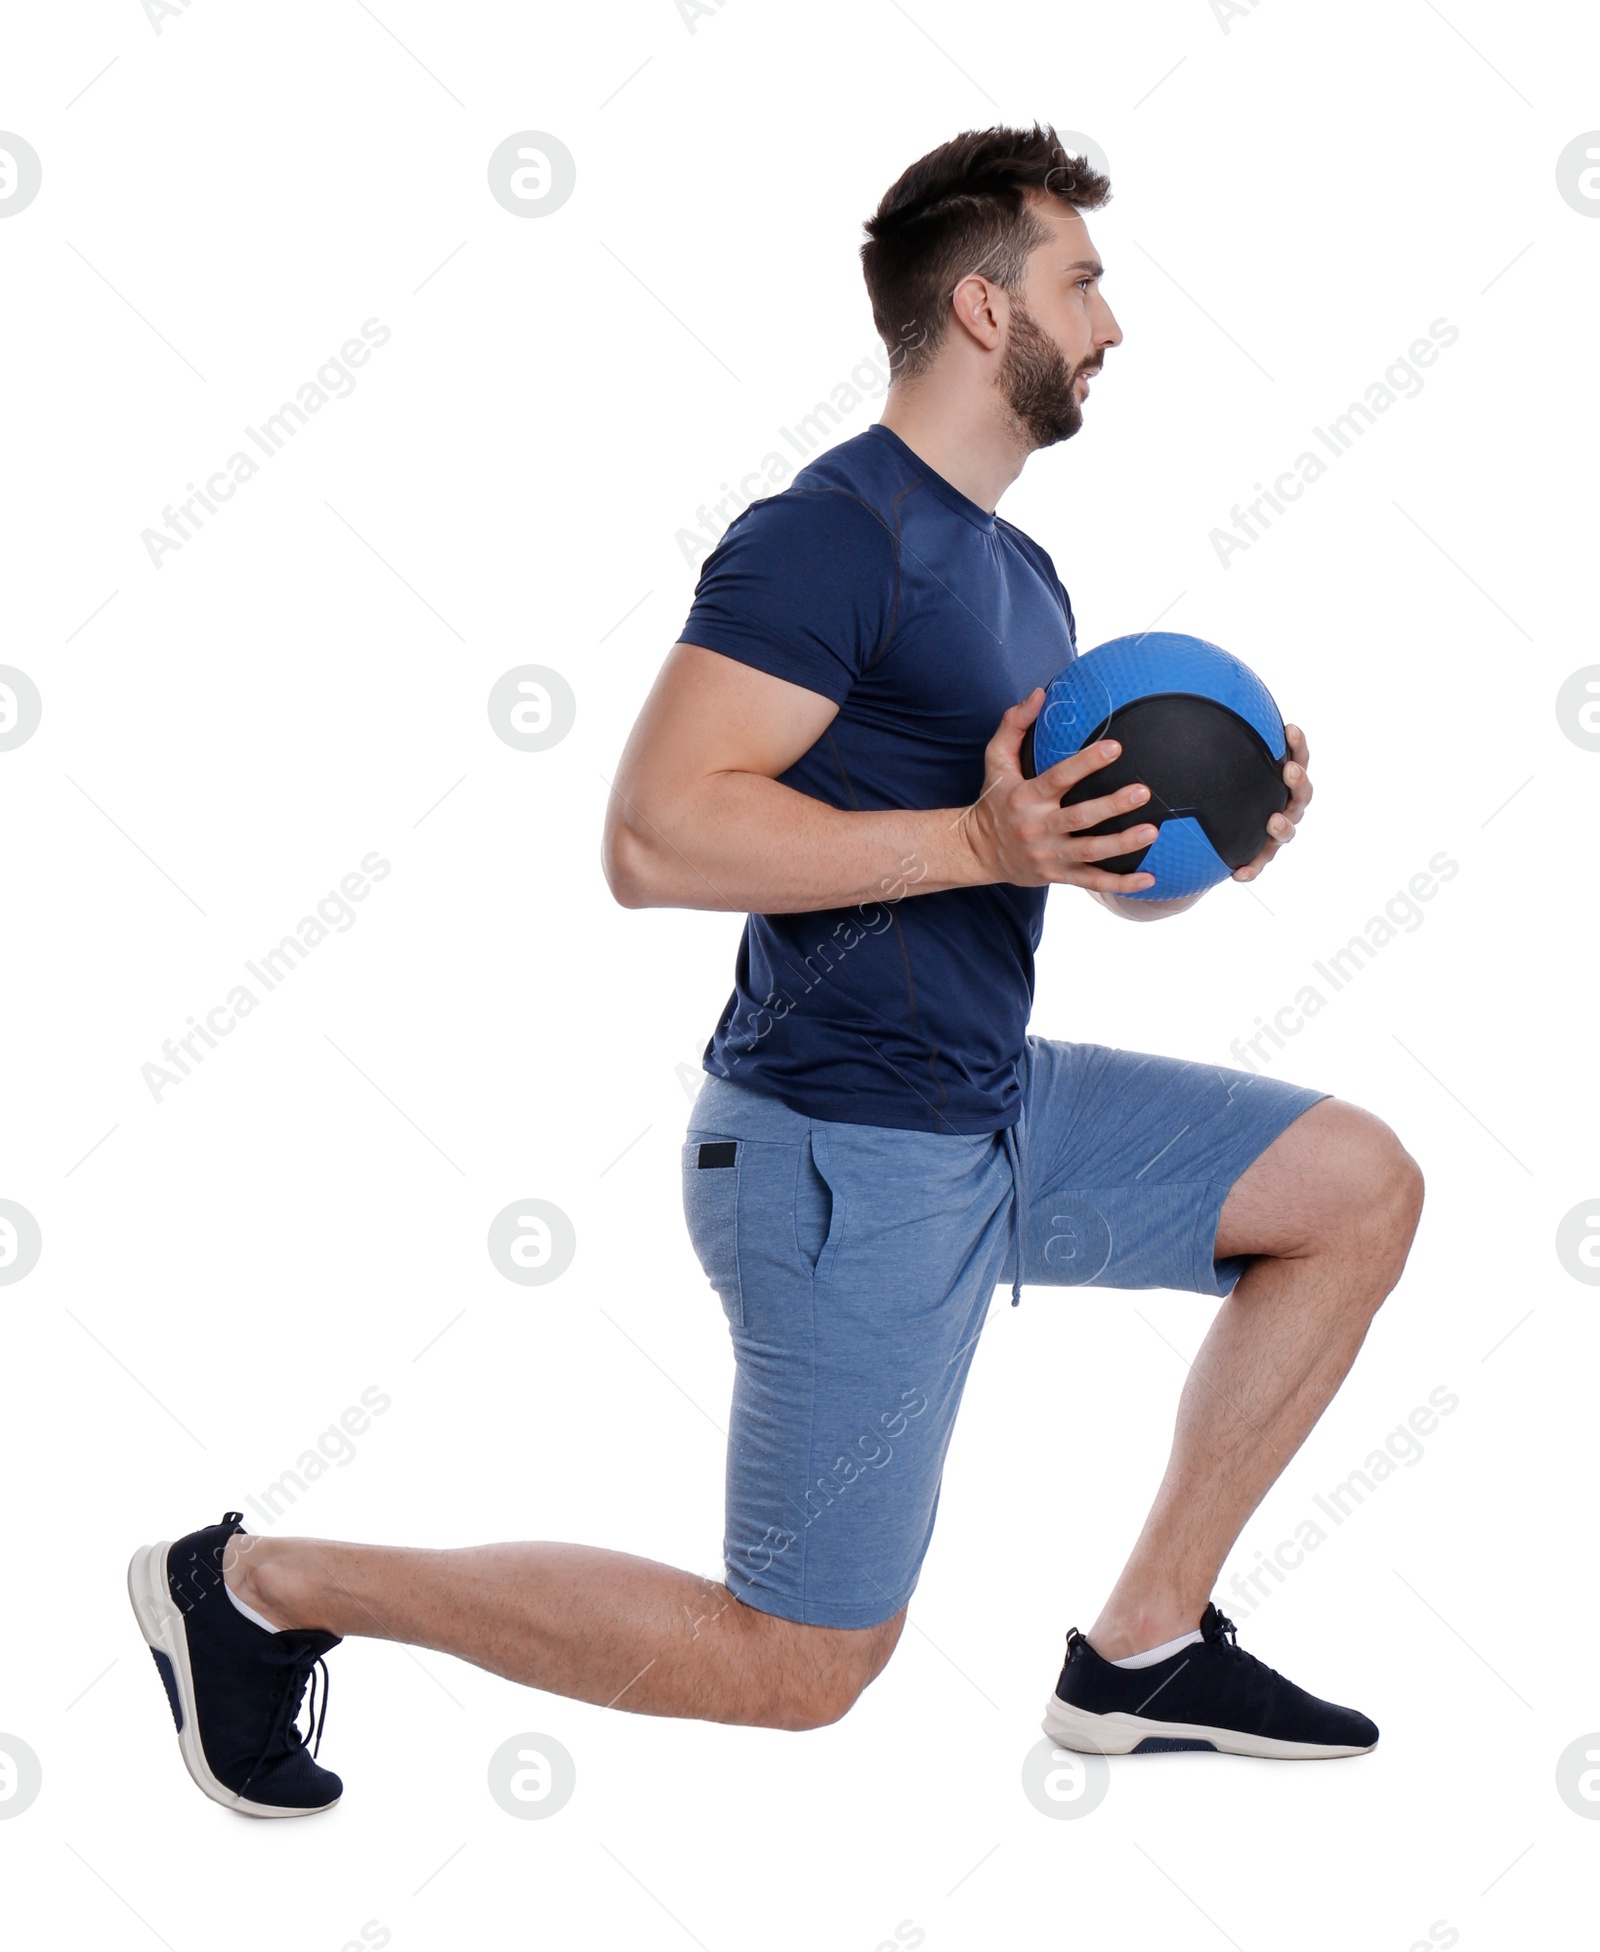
233 1688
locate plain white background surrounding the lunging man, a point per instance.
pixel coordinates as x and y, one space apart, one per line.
1299 196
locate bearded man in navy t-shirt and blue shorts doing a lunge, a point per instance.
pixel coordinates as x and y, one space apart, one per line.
834 749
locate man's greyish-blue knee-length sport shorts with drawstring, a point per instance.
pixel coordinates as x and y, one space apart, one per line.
858 1264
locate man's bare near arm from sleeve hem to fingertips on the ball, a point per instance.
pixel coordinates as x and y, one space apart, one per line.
698 815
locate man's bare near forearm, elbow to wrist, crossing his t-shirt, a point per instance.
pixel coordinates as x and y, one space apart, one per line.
750 844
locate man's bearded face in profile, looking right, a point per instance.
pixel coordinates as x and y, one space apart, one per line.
1060 331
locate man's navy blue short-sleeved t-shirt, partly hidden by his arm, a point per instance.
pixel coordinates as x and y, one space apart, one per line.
924 618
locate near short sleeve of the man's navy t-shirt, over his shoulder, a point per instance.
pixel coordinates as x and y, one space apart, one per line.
803 587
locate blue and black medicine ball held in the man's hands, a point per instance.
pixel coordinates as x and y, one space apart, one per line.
1197 727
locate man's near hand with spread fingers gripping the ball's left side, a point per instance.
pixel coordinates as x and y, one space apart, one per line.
1021 834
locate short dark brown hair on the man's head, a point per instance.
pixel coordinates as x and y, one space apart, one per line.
963 210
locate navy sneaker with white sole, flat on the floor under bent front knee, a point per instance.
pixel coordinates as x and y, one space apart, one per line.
1209 1695
